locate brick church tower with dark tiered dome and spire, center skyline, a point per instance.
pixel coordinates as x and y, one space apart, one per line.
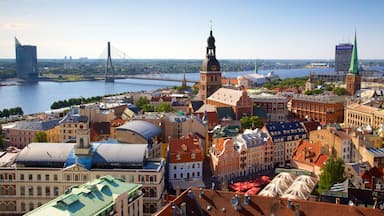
210 74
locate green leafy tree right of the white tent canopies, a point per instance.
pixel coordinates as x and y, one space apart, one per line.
332 173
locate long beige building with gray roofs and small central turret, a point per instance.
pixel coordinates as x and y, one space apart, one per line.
42 171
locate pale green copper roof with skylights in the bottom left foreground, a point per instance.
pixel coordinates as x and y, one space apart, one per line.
93 198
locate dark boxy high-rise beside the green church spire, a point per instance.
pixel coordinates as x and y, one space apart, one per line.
343 53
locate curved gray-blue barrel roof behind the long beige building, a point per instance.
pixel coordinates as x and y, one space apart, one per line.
143 128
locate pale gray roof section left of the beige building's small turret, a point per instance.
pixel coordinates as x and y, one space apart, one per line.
48 152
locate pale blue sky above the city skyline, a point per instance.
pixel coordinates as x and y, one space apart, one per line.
274 29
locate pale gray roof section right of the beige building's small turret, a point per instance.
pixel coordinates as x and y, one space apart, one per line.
121 153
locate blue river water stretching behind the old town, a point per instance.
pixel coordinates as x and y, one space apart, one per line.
38 97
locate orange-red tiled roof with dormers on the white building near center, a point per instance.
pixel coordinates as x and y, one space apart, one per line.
181 150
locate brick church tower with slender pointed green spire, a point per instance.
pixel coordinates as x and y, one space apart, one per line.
353 78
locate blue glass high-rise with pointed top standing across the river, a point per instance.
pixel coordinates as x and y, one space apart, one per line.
26 61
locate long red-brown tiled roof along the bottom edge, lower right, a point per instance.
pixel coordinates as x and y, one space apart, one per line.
212 202
